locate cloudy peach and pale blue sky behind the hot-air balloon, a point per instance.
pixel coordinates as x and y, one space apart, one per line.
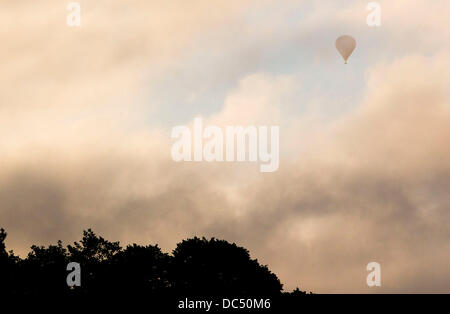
86 114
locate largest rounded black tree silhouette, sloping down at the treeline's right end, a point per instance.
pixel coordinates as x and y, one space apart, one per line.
199 264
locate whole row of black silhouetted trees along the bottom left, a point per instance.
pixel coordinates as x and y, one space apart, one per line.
196 268
